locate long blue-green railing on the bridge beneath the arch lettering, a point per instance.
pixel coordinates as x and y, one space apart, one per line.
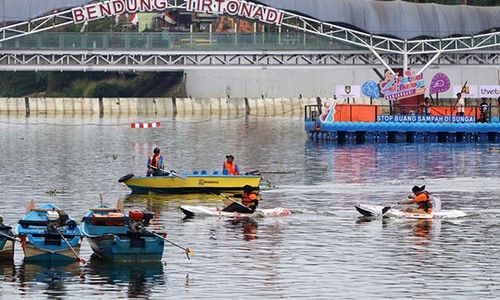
174 41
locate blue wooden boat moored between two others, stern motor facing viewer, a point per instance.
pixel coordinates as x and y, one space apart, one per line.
48 233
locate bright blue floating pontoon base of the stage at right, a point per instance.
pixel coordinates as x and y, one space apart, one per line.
396 132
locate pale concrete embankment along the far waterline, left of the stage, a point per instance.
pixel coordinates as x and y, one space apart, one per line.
155 106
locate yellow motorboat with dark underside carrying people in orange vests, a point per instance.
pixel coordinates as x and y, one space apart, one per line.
189 183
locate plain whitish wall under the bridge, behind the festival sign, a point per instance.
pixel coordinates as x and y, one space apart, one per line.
312 82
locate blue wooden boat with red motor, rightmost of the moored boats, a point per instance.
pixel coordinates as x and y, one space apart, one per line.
119 237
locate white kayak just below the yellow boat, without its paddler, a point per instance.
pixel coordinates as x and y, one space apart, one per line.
192 211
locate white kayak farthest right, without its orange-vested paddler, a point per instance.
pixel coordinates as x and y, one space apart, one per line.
368 210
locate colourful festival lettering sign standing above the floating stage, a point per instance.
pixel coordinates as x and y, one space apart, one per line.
395 87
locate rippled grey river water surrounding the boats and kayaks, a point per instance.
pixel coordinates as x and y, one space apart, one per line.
323 251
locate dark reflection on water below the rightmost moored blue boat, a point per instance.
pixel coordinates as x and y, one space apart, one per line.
140 278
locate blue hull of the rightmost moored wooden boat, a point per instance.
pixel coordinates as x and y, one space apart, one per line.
112 247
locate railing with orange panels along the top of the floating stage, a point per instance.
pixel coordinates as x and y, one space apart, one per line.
371 113
